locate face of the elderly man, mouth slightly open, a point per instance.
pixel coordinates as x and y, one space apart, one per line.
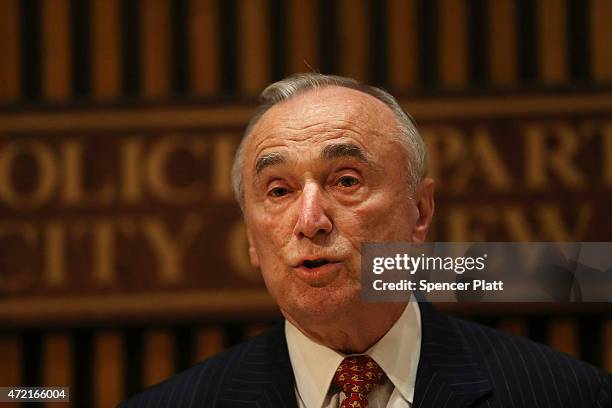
322 174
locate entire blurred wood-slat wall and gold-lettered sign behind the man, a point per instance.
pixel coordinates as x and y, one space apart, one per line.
122 254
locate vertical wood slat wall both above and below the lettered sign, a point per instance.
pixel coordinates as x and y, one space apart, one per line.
96 52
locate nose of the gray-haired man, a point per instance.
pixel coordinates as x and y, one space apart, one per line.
312 218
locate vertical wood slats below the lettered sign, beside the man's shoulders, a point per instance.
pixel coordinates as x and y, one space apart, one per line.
103 366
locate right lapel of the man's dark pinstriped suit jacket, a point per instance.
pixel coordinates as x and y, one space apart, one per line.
448 374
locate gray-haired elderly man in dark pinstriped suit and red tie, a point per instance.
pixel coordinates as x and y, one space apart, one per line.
325 165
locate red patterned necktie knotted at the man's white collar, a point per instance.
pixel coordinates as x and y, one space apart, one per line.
356 376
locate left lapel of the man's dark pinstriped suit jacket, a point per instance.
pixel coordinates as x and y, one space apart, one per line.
264 377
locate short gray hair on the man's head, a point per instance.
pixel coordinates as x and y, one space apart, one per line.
293 85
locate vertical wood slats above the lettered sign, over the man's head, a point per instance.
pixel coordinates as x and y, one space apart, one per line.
87 51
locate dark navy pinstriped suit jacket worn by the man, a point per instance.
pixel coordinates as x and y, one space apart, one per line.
462 364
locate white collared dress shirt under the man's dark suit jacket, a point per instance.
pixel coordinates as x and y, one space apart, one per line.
397 353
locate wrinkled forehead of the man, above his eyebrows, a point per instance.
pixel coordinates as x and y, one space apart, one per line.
322 114
